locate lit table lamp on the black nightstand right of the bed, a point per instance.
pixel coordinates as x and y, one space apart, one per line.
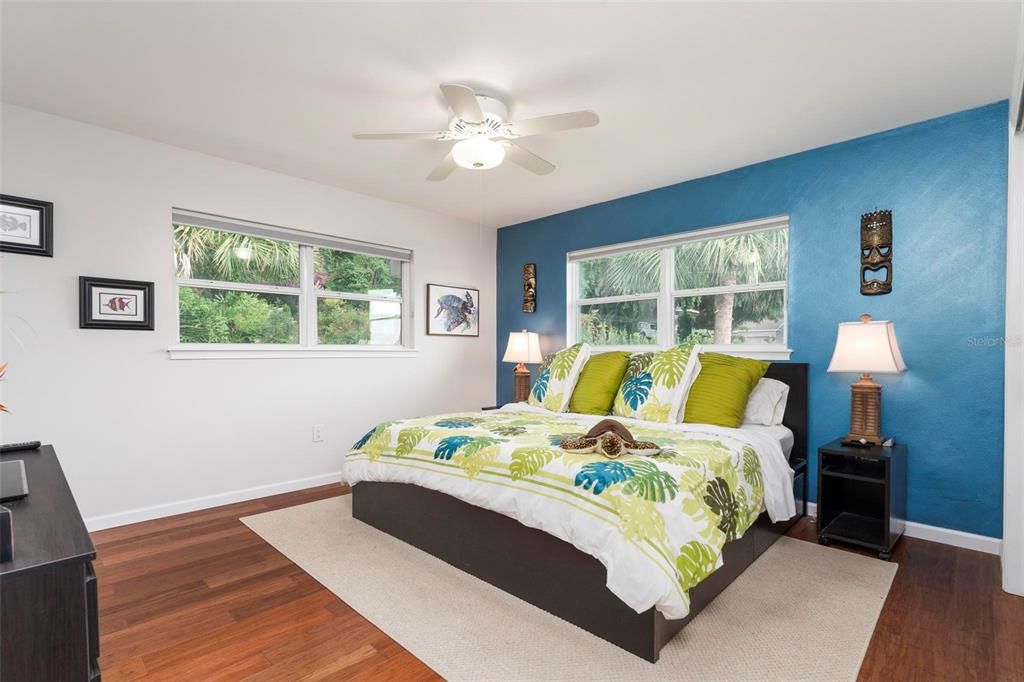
867 347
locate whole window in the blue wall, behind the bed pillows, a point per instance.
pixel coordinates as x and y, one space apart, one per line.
722 286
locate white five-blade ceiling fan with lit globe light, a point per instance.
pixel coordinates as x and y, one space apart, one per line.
484 138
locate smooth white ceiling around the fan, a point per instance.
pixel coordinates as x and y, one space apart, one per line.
684 90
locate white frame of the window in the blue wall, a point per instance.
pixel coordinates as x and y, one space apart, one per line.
667 294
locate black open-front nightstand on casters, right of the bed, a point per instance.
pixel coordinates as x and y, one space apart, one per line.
863 496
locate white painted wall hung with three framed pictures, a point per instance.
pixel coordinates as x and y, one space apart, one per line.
141 436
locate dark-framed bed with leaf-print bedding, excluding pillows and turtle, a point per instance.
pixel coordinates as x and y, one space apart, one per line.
615 593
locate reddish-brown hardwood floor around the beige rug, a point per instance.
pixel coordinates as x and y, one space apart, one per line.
201 598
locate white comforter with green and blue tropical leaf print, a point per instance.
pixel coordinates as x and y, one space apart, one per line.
658 524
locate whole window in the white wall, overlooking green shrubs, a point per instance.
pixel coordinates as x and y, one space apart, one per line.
245 286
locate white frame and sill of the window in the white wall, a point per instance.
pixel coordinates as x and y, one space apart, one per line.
307 293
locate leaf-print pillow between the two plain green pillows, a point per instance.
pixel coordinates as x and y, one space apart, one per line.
656 385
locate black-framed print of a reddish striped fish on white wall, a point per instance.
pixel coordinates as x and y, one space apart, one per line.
115 304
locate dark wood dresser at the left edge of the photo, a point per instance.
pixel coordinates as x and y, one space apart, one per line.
50 625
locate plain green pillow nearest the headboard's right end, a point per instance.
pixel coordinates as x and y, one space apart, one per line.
720 393
